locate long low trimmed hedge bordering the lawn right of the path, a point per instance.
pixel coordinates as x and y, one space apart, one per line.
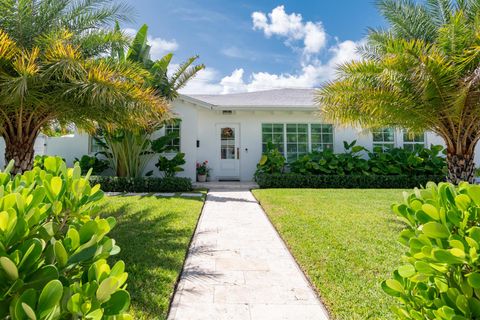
293 180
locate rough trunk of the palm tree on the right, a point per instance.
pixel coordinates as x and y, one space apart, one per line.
461 167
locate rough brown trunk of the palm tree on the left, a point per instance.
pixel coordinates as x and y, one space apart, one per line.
21 151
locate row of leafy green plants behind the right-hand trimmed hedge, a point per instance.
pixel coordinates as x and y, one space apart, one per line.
358 161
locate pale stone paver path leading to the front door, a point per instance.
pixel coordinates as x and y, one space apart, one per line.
239 268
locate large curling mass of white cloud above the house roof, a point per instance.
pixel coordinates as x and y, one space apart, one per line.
313 70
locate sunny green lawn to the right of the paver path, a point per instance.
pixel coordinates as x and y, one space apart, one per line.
345 241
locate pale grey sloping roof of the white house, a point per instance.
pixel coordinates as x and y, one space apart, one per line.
278 98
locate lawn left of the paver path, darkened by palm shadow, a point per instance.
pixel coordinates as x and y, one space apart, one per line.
153 234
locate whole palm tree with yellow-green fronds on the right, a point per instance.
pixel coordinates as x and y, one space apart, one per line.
423 73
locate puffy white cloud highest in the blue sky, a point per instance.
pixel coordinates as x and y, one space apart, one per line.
292 27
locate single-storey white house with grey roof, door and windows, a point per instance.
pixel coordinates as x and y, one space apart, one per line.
230 131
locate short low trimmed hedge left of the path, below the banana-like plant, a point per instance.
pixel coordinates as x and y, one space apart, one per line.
144 184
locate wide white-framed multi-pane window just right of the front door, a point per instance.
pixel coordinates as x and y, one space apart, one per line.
297 139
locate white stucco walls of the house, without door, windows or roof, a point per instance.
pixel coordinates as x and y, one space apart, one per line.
200 123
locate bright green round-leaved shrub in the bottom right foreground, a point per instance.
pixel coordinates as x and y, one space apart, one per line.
440 278
